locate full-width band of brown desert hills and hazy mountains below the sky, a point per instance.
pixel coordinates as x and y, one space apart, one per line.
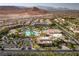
37 10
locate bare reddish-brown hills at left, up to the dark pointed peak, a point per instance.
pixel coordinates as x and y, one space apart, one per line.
21 9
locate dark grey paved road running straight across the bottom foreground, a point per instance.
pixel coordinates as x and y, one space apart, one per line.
13 52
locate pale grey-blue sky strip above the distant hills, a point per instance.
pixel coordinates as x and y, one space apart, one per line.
56 5
